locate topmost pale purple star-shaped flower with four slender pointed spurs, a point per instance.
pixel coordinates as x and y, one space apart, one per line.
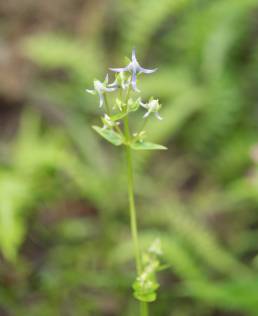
134 68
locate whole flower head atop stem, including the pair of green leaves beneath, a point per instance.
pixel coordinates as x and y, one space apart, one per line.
125 84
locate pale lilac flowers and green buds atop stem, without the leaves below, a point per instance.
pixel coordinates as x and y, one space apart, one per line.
125 84
